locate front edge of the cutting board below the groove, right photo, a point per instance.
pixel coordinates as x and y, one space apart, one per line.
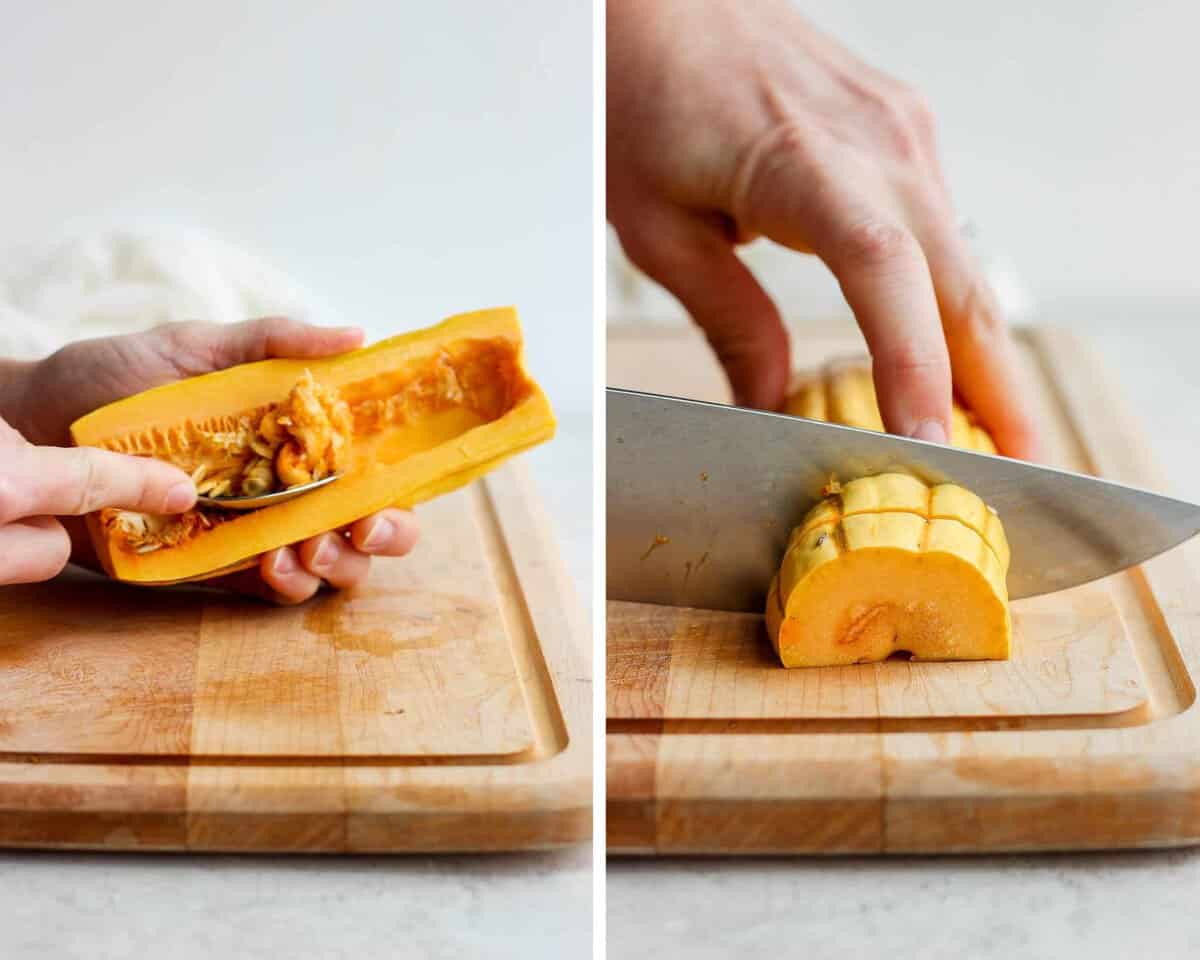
911 807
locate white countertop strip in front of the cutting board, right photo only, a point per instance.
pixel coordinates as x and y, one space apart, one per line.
1064 907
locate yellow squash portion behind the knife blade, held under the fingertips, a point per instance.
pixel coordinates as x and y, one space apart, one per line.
843 393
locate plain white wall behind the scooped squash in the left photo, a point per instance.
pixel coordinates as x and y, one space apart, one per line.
404 161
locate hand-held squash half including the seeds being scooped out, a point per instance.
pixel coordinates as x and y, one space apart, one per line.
403 422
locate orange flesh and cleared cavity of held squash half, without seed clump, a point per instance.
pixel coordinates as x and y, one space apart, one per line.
461 403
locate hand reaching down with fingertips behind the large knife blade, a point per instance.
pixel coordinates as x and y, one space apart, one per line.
731 121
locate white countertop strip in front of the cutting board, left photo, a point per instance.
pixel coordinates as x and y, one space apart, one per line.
113 908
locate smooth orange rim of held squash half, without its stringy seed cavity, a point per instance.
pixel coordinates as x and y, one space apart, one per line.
428 459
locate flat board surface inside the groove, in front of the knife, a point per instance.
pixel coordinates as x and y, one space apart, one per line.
1070 657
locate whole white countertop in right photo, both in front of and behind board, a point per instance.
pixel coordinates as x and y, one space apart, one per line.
1096 907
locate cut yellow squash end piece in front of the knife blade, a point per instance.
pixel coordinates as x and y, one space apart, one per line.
887 565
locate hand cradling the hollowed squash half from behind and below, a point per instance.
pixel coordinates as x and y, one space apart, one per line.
88 375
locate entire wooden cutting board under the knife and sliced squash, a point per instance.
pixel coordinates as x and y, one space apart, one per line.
1089 737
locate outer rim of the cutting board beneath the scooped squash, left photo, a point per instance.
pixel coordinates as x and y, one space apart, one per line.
541 805
